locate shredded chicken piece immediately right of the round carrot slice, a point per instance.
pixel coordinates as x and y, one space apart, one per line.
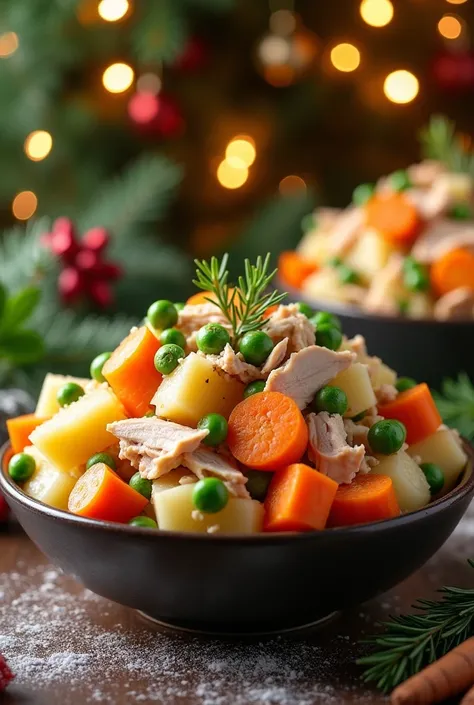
329 450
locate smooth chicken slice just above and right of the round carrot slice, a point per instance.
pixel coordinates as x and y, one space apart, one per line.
306 372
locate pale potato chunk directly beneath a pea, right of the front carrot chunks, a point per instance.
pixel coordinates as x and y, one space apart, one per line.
409 482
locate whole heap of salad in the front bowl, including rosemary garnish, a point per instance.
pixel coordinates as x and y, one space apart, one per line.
236 414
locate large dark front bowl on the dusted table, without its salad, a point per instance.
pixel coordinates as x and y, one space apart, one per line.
232 584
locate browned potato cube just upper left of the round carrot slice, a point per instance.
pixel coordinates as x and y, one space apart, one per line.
194 389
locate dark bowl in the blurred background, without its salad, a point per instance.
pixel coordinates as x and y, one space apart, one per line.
425 349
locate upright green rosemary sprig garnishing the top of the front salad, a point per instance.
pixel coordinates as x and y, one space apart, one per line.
244 305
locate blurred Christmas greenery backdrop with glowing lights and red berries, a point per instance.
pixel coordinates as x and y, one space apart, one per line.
136 134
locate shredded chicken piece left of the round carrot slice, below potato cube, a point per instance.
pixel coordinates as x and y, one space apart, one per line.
153 446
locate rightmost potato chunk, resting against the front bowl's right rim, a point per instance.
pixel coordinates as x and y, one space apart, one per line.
444 449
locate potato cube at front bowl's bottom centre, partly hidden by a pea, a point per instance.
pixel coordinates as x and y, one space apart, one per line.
174 509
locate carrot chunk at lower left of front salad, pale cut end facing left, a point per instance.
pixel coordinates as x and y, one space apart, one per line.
101 494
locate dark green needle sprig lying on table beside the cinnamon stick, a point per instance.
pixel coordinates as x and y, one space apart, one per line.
413 641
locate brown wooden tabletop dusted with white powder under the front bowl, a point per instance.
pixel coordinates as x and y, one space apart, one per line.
71 647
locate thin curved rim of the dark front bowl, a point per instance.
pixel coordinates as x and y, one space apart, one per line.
458 493
